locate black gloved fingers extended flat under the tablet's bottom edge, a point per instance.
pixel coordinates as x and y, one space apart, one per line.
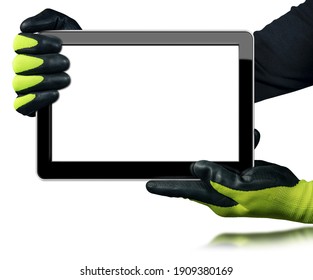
195 190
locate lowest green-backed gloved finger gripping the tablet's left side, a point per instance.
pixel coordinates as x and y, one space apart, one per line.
29 103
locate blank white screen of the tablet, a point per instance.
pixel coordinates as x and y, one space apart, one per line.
148 103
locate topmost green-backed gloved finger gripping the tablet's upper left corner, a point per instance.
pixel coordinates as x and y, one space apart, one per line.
28 43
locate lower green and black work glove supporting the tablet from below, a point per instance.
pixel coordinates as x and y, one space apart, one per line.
266 191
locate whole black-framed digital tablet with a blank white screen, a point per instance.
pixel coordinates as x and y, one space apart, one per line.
146 105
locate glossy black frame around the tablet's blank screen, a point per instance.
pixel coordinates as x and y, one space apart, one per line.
48 169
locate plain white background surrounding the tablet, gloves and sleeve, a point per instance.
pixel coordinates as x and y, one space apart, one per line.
52 229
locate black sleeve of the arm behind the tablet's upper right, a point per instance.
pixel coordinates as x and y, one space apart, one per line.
284 53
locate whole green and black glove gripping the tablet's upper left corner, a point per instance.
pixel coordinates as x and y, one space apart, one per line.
38 65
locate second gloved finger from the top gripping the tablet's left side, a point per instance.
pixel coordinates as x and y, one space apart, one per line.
40 64
